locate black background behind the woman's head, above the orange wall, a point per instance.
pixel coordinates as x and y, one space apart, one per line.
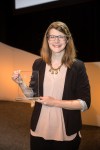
25 28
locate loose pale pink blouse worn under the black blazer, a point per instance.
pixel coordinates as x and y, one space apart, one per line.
51 125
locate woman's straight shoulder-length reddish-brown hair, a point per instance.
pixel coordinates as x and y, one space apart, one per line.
70 51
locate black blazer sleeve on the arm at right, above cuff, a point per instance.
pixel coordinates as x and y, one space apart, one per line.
83 85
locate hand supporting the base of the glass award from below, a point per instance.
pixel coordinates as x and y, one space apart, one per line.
47 100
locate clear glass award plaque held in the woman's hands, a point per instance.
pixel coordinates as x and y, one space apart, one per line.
28 76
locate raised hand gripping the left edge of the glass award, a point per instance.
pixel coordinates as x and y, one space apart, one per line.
17 77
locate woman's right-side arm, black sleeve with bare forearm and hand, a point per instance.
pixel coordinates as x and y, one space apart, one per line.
82 92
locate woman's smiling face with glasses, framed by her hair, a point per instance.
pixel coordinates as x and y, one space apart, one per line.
56 40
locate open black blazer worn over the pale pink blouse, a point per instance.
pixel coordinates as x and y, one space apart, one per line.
76 87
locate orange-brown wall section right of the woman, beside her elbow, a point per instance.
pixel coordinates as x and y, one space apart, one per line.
92 116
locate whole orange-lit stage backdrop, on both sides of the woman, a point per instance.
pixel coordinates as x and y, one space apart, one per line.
12 59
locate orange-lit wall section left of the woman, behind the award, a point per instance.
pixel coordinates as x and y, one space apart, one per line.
12 59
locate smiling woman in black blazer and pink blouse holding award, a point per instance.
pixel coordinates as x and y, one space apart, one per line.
64 92
